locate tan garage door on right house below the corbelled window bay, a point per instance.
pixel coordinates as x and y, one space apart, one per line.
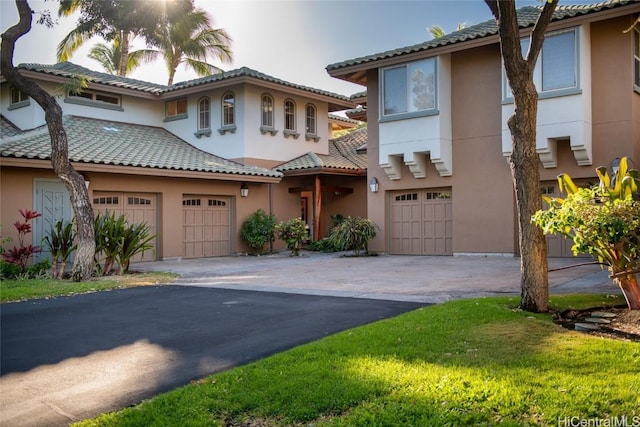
421 222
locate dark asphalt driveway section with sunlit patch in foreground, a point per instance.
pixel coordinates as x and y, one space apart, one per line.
71 358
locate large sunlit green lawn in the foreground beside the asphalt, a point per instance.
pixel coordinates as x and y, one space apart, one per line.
468 362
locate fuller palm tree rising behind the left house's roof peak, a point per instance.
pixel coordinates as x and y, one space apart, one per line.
191 40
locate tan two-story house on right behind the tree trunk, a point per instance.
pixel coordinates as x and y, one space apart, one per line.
438 144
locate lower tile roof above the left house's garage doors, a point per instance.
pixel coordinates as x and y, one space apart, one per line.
123 144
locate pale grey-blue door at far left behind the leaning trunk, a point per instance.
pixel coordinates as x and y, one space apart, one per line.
52 201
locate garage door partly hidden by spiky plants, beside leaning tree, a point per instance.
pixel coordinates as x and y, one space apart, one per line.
139 208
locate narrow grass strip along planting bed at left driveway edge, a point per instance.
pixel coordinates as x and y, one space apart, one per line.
20 290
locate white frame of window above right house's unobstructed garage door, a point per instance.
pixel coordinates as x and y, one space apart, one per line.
409 110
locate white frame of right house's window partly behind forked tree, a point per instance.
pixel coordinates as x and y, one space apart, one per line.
538 77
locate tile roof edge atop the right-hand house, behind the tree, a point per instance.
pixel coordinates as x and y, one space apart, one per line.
527 17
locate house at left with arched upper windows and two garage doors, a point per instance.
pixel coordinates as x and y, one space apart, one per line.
192 160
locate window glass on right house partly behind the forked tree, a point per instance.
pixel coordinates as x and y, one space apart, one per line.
557 66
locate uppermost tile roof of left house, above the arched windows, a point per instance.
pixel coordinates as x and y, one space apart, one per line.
68 70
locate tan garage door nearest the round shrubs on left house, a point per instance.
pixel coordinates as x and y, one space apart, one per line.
207 226
